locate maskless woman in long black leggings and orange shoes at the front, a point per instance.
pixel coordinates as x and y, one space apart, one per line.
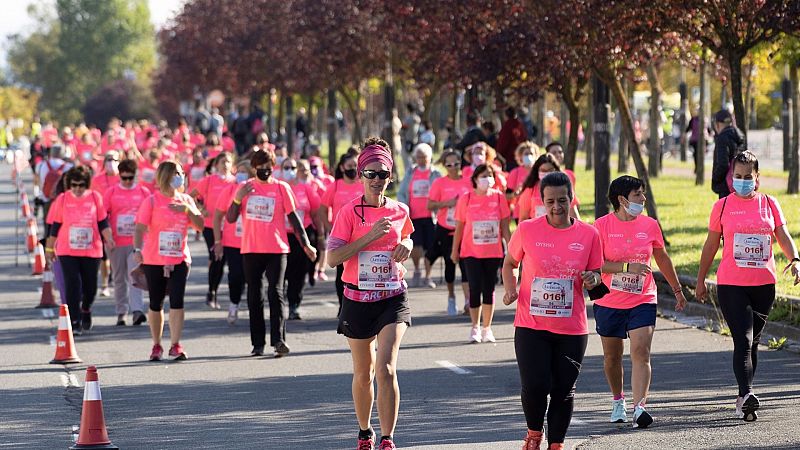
560 256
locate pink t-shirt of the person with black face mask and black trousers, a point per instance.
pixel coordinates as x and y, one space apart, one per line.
264 213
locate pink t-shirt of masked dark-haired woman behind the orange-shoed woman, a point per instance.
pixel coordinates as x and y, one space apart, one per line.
481 216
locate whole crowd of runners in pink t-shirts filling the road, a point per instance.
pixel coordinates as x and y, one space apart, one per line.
121 205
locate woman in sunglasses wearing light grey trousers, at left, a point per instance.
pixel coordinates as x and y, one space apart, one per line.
122 203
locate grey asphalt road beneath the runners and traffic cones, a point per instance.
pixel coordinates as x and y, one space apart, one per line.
454 395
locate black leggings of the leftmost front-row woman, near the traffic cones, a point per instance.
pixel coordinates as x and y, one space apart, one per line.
80 283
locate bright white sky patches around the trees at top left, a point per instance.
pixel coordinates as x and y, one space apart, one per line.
14 17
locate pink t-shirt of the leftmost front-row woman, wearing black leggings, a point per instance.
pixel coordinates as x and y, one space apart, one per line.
79 234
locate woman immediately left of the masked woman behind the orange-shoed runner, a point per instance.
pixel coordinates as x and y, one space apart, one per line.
445 192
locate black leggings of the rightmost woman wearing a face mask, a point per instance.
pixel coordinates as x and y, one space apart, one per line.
745 309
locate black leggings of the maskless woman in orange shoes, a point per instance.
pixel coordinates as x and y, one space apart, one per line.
549 364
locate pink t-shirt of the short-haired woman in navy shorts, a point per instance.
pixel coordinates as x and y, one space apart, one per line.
630 242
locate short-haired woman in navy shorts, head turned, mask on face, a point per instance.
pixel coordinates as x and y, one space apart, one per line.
630 240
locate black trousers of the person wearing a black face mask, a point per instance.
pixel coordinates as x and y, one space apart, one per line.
255 266
